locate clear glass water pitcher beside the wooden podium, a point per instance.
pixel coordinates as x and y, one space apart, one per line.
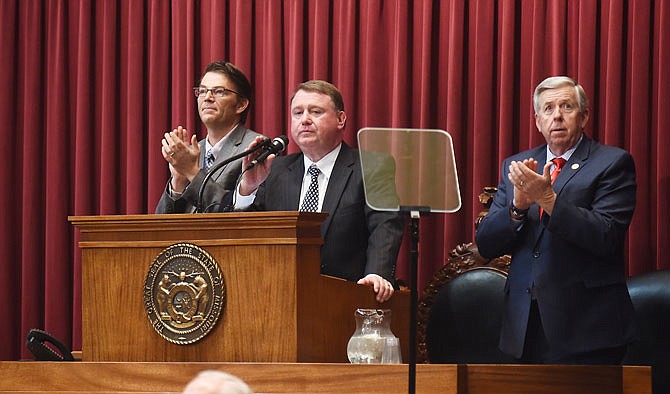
373 338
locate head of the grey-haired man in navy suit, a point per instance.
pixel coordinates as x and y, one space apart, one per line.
561 112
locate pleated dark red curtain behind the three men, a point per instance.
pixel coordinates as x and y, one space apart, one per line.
89 87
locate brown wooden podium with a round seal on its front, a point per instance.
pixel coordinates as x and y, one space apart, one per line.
279 308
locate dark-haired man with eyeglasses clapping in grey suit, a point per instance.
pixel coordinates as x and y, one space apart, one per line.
223 97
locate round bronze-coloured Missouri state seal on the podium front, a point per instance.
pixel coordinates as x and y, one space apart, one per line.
184 293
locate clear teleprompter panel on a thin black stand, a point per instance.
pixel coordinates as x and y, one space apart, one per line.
411 171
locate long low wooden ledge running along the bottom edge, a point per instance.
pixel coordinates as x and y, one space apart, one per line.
112 377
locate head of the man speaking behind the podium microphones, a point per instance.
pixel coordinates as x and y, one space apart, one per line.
317 118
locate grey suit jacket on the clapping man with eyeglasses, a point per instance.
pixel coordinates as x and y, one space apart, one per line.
220 184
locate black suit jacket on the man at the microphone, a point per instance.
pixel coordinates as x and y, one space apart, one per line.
357 240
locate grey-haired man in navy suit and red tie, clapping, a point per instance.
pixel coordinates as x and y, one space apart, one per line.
564 223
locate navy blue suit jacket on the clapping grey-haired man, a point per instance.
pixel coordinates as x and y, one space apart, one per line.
573 259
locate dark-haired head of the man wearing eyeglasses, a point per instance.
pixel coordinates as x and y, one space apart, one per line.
233 106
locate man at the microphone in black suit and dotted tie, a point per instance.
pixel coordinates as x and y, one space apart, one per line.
360 244
